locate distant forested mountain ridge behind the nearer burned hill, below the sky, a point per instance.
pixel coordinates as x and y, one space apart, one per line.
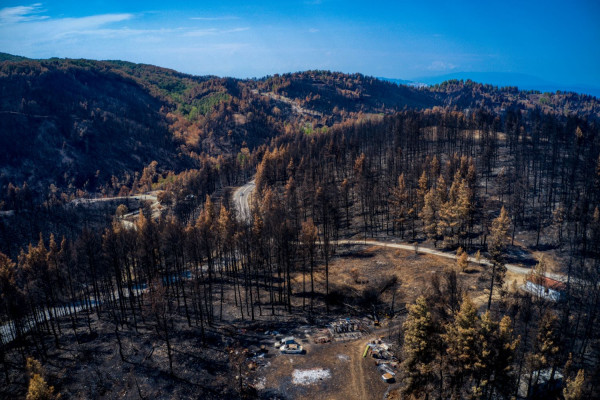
82 124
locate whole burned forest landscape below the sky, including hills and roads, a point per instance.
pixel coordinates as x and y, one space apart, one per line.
308 235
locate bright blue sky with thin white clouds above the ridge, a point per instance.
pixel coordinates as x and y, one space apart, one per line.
557 41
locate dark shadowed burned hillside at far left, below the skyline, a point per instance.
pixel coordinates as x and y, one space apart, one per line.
67 124
